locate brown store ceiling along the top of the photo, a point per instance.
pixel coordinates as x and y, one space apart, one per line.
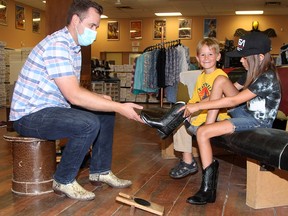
147 8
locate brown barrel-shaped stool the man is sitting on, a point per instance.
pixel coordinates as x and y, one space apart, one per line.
34 163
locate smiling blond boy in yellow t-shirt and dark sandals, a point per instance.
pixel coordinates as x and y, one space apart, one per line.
208 53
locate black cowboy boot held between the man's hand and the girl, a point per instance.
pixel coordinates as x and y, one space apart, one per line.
168 122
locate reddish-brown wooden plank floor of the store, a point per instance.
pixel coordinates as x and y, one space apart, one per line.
136 156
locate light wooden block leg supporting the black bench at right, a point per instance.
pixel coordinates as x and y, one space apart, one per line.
266 189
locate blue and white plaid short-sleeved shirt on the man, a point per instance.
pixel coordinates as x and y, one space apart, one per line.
55 56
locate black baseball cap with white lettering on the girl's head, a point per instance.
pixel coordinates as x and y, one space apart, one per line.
253 43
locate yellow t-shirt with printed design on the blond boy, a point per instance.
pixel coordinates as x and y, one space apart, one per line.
201 91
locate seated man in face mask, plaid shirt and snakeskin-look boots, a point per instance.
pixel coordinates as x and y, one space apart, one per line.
48 85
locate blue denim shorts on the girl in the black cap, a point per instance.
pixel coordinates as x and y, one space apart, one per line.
243 120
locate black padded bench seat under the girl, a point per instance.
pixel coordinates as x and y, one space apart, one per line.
266 145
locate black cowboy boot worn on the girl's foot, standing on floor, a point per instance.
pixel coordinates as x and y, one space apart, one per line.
207 192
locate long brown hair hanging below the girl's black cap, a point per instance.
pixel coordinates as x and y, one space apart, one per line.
257 67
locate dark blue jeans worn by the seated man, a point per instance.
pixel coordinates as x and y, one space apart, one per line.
82 128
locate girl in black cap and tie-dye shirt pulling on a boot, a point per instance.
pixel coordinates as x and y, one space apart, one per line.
261 96
